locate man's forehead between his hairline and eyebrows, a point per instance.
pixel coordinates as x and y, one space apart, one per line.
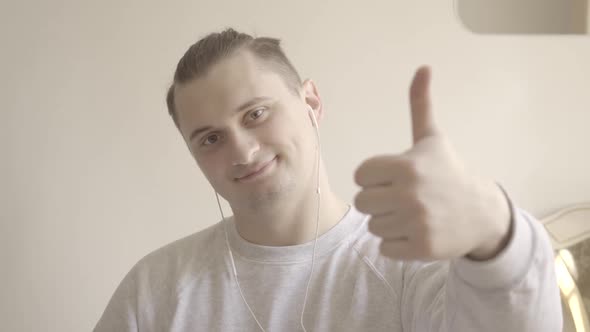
226 85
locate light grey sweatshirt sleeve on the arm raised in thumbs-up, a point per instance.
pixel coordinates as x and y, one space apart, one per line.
515 291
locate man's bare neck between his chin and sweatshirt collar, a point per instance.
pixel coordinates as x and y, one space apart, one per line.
293 221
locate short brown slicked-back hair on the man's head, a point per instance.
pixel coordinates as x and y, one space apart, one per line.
216 46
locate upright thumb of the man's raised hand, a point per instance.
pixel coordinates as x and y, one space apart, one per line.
422 118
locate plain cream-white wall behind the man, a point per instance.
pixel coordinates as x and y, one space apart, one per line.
94 175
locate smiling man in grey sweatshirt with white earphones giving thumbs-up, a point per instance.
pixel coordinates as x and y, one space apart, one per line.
288 261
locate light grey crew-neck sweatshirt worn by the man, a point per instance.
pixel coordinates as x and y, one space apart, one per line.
189 285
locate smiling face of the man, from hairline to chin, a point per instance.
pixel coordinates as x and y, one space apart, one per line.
249 119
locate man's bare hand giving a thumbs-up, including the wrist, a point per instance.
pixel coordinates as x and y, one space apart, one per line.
423 203
